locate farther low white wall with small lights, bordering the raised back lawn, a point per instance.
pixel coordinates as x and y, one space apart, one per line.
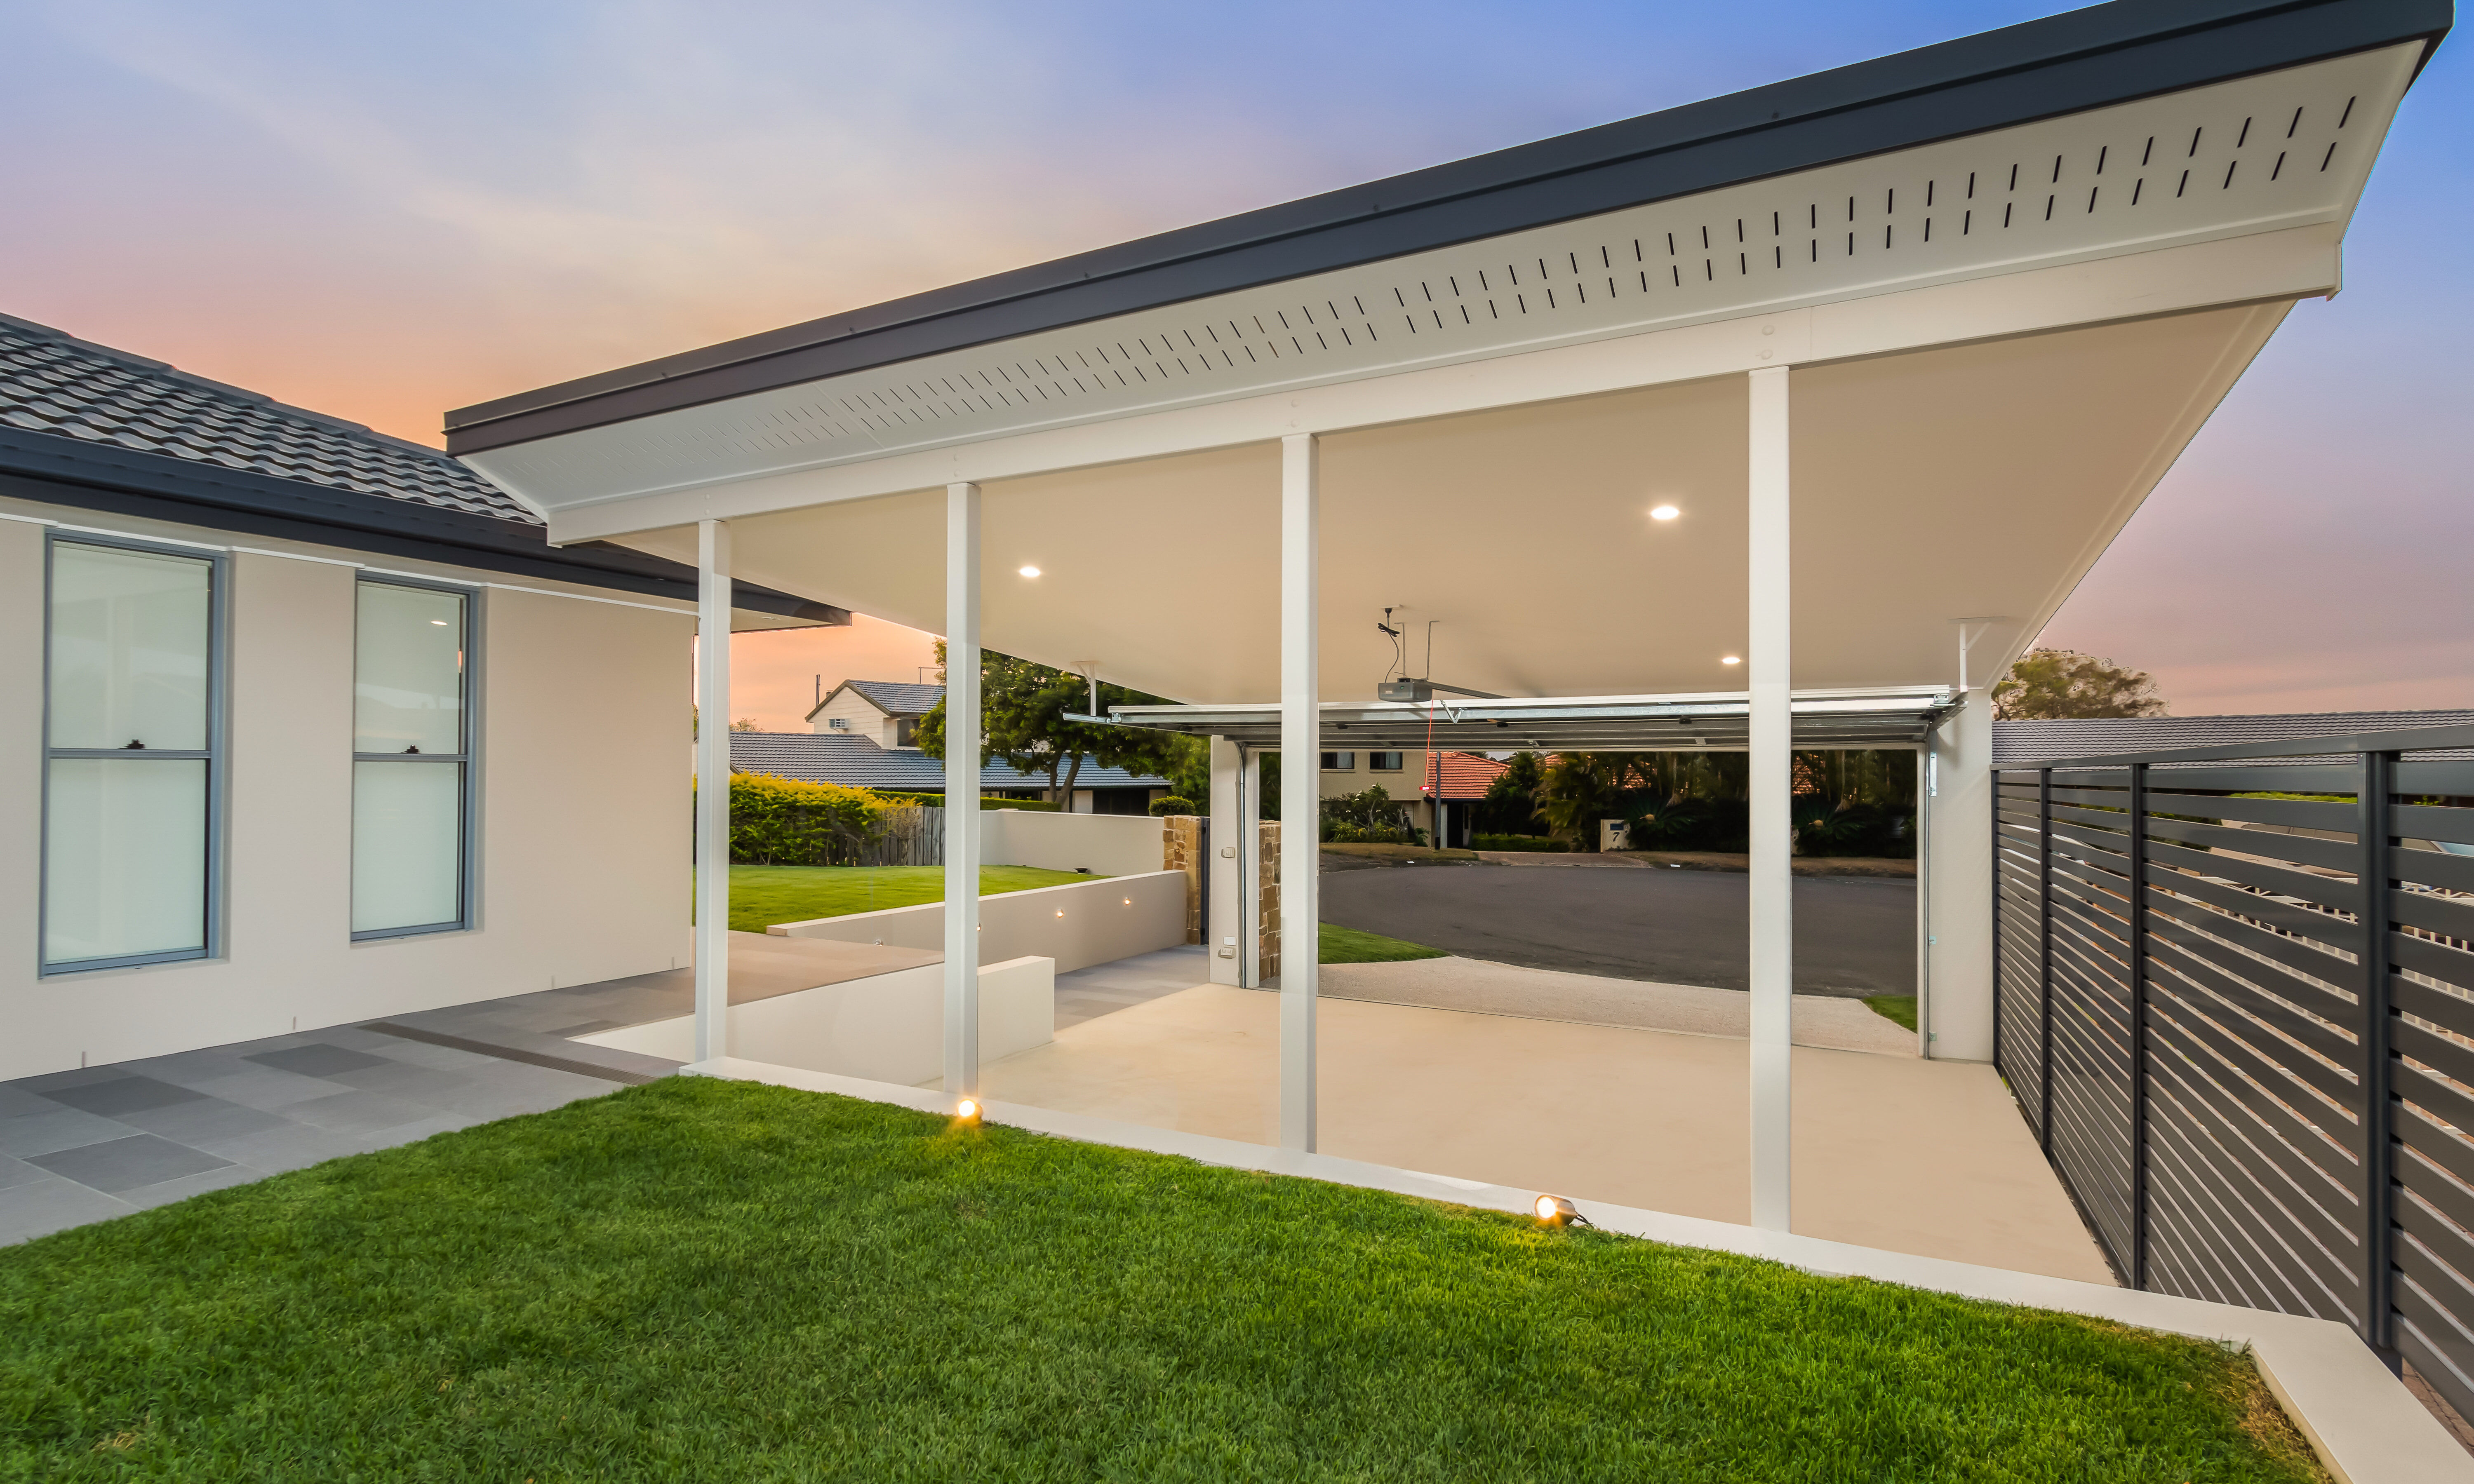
1080 924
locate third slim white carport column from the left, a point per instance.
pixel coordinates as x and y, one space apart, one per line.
1300 778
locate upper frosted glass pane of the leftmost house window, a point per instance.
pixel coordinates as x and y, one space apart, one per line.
130 647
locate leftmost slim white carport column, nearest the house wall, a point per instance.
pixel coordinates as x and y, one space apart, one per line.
711 790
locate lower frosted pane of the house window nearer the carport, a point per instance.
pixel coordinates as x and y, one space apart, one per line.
407 845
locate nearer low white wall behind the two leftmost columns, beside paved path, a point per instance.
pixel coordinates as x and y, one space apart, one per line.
884 1028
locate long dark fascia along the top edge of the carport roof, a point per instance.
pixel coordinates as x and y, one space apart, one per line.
1995 80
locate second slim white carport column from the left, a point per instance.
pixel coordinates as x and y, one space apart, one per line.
964 790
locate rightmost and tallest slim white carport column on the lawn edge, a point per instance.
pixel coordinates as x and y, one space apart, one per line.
1773 812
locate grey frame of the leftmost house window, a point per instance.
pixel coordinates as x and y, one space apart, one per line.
214 756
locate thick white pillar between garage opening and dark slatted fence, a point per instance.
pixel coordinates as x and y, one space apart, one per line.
1958 887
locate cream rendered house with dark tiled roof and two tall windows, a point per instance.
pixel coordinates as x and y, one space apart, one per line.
296 731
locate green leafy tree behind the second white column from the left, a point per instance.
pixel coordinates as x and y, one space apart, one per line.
1023 719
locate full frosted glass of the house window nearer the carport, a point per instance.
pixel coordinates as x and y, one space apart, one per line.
412 773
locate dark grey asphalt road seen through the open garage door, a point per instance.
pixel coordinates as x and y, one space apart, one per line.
1854 936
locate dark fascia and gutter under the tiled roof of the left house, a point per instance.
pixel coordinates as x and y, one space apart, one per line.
150 486
